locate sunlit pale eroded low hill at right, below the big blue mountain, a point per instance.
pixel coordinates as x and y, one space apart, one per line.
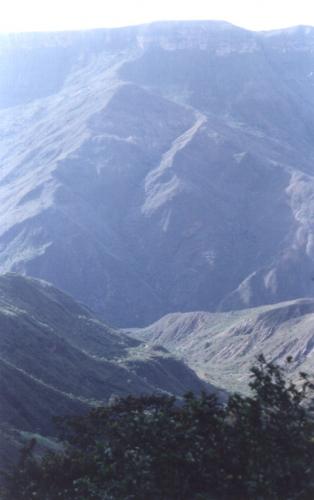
222 347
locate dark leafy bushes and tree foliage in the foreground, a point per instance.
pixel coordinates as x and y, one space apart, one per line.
258 447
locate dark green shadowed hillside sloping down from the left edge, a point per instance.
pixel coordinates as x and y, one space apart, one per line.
57 358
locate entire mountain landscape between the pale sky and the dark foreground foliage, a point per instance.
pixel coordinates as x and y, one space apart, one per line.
158 179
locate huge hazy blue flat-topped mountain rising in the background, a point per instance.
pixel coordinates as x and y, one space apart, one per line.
165 167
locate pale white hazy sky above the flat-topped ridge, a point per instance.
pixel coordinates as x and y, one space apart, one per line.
43 15
